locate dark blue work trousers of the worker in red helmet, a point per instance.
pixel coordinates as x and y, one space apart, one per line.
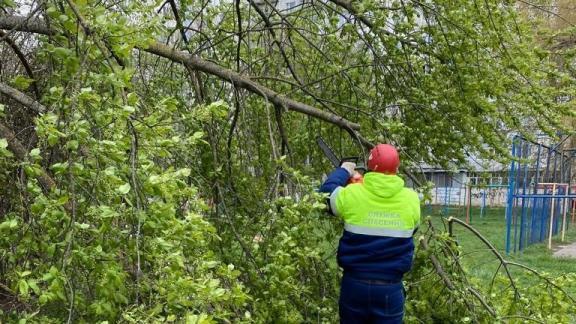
370 301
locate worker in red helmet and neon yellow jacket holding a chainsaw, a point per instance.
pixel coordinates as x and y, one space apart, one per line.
376 249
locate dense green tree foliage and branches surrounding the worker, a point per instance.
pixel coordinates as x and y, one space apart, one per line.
156 157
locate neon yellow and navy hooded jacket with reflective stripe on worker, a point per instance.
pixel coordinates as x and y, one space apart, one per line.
380 217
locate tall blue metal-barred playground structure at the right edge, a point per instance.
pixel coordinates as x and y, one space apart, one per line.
541 195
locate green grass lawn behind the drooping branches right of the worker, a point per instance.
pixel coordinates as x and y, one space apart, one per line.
481 263
